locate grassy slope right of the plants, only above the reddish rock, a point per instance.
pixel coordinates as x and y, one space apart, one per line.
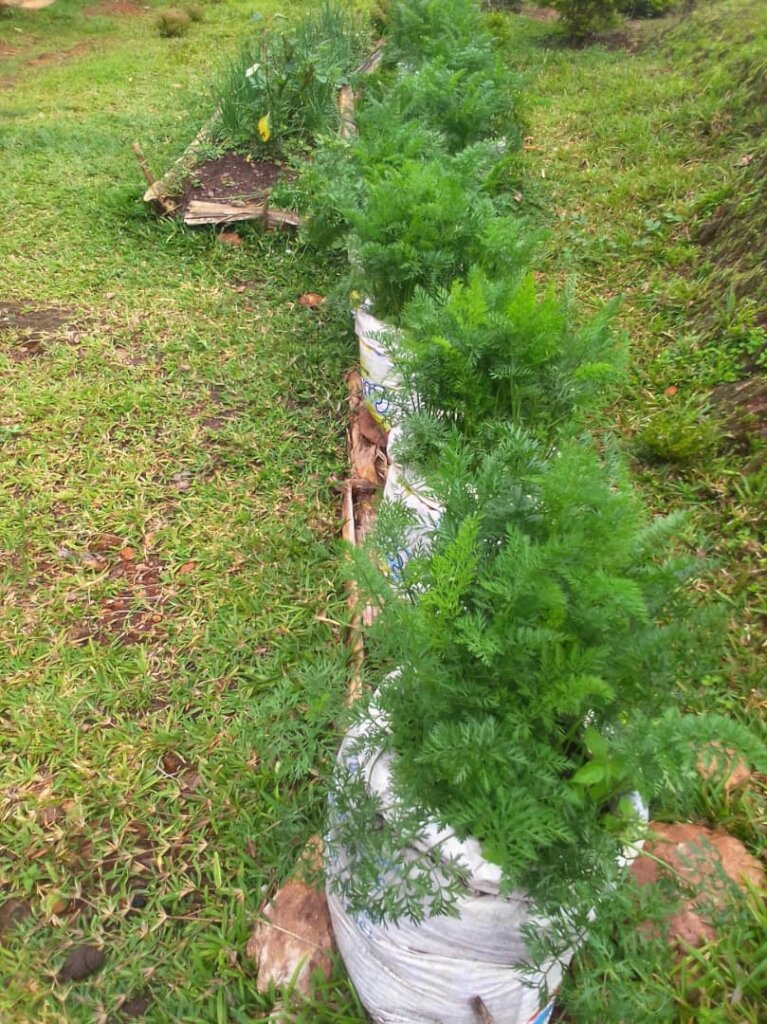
645 162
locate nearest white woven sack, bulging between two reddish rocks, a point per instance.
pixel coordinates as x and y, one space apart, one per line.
431 973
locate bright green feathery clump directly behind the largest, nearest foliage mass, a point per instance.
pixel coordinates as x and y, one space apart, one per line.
497 350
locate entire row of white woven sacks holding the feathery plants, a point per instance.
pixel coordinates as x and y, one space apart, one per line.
444 970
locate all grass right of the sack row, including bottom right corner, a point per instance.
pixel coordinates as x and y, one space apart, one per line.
646 164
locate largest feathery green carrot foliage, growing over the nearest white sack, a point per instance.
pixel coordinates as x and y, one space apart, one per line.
538 646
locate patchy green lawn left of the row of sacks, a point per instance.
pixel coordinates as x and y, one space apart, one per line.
164 715
